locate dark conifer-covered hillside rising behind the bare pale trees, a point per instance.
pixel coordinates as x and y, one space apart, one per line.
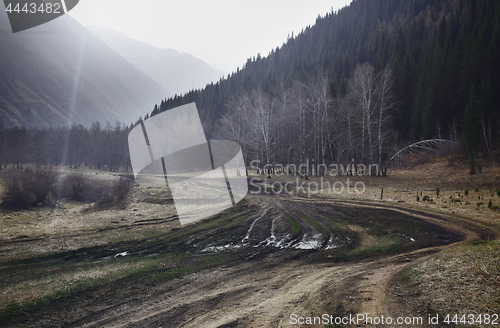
442 57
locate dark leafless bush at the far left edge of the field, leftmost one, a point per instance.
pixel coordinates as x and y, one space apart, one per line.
29 187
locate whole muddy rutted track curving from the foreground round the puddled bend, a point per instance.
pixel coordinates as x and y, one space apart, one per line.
269 283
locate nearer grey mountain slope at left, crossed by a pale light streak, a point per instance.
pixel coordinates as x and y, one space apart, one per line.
59 74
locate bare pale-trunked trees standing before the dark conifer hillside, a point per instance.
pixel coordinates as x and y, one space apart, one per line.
306 123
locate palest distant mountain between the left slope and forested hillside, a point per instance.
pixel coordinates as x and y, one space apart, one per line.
175 71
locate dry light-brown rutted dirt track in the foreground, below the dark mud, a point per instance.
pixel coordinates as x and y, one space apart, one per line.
263 296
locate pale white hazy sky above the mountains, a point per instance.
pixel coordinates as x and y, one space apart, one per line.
221 32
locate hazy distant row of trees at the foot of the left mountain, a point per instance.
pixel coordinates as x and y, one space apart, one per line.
95 147
